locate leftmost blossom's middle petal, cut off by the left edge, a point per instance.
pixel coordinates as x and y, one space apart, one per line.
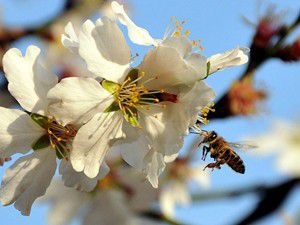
17 132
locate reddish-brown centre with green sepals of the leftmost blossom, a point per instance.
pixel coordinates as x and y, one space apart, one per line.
57 136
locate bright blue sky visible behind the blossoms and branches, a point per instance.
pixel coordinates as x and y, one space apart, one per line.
219 25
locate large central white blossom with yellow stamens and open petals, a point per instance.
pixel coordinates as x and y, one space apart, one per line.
151 105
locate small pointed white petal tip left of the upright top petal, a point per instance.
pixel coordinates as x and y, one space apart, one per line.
70 39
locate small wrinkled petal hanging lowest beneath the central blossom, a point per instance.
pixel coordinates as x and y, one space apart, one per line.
155 165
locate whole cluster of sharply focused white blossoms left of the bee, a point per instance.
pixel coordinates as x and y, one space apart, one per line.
143 113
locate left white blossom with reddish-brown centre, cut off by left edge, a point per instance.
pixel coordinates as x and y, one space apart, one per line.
29 177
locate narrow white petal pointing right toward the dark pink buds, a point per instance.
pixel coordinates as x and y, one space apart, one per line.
234 57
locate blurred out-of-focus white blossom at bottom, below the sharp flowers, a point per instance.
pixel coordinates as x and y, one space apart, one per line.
126 198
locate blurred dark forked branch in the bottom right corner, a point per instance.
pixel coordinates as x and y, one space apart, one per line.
271 198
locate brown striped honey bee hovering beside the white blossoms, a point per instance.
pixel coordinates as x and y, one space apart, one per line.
221 151
